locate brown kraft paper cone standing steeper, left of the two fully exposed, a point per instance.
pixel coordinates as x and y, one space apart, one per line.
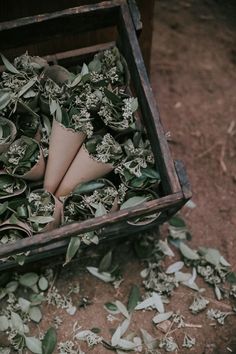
63 146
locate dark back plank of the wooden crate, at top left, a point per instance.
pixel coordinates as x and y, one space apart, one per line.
78 20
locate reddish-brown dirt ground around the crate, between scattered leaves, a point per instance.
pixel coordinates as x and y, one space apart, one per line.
193 75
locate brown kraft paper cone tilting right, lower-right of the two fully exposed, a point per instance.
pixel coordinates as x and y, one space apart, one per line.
83 169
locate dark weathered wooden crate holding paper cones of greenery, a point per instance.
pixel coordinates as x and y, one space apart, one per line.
115 18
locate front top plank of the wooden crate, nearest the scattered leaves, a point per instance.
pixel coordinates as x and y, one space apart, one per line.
77 228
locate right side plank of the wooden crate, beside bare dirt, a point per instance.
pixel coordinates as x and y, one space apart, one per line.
148 106
